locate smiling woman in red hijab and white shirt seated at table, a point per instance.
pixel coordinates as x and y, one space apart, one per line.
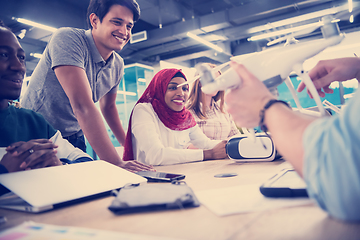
161 129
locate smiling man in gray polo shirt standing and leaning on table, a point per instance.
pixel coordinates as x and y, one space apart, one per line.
79 68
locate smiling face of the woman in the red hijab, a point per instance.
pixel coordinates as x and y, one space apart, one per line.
175 97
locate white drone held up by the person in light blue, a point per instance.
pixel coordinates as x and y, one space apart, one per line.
273 66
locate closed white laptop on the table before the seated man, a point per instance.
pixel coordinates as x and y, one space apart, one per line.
47 188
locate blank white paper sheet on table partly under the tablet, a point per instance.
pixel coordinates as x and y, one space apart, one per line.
241 199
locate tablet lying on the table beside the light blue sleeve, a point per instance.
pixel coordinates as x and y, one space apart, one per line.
287 183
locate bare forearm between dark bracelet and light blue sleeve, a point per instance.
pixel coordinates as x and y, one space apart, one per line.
287 129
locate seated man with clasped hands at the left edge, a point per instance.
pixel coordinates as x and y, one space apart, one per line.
27 141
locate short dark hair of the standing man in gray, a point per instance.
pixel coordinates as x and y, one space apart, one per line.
102 7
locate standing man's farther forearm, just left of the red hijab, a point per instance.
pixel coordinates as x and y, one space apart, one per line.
112 118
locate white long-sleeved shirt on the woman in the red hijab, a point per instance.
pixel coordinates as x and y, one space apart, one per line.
155 144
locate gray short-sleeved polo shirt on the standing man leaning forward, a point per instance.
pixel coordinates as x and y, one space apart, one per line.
75 47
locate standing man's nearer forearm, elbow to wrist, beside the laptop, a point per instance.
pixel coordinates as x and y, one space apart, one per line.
94 129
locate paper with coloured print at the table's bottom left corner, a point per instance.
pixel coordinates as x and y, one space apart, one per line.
31 230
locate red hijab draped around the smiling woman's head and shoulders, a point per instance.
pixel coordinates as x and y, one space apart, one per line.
155 94
